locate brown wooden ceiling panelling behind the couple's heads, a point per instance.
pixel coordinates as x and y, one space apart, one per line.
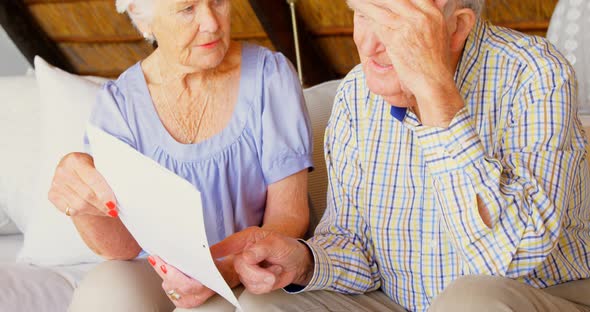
96 40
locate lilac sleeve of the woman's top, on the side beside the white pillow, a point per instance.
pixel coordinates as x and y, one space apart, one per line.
109 116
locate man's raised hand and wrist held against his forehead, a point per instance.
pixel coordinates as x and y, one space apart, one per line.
415 35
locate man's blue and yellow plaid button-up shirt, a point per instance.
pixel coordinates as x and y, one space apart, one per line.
402 209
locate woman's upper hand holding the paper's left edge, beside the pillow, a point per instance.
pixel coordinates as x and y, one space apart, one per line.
79 189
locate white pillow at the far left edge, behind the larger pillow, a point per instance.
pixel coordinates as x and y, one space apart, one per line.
19 143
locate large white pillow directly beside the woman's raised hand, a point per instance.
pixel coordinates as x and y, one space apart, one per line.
50 238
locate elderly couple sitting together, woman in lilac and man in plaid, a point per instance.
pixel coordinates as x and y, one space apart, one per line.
458 177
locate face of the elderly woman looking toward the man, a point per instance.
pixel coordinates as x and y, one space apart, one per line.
193 33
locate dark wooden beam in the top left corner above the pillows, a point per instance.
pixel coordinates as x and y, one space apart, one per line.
28 37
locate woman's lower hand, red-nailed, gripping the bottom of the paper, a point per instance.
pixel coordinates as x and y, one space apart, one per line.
185 292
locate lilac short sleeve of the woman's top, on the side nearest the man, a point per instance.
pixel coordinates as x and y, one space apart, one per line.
286 138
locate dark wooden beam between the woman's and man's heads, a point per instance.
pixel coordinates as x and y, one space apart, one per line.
275 17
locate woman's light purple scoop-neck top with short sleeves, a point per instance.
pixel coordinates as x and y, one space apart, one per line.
267 139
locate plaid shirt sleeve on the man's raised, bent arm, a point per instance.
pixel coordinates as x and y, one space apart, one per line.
526 185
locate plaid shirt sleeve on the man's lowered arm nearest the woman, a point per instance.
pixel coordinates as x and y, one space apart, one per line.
342 246
